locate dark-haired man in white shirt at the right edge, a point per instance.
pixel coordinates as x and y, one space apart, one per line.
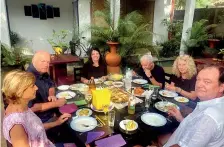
204 127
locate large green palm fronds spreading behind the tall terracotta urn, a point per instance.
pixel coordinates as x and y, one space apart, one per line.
132 32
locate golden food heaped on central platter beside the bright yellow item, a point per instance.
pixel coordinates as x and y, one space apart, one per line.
119 96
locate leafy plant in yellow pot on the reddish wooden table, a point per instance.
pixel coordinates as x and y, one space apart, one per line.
59 41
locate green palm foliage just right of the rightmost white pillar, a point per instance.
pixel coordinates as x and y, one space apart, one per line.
198 36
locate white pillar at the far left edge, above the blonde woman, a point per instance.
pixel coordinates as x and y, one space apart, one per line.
5 38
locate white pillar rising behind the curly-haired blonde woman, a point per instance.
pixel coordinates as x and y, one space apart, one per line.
188 20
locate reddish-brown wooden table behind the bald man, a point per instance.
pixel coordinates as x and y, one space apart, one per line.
58 65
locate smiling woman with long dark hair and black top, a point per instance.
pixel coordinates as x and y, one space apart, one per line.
95 66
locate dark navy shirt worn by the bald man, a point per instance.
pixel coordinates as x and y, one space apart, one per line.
44 83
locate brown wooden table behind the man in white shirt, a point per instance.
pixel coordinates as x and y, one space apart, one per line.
201 62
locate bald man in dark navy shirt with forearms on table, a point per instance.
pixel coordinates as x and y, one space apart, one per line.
45 103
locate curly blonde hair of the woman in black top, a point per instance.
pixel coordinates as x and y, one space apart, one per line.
191 68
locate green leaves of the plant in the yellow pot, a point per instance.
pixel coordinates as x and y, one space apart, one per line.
59 39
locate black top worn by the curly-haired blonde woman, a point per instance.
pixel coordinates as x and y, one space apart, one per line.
185 84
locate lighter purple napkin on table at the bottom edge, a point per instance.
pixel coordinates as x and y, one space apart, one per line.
113 141
